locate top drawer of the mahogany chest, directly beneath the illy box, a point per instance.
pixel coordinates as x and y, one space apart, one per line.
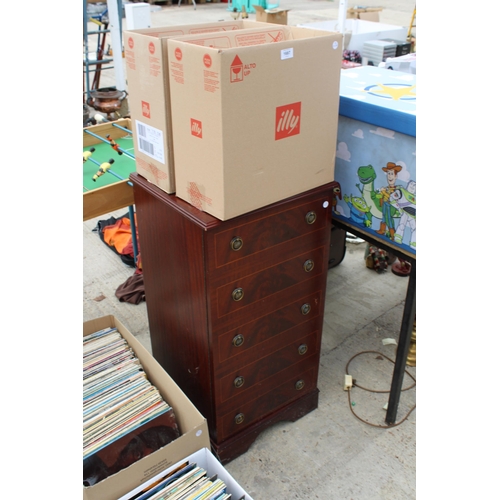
240 242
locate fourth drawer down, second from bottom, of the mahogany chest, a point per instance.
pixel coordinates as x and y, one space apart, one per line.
248 382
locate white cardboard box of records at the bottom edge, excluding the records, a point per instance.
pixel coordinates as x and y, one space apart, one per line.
205 459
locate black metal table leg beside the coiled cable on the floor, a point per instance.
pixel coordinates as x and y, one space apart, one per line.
403 347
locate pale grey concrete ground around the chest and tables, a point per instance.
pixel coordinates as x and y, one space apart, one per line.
329 453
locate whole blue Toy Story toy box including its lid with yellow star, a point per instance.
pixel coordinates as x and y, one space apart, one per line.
376 156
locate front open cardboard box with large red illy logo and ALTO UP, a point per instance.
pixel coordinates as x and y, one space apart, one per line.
254 116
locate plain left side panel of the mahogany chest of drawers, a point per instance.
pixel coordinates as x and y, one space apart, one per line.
171 248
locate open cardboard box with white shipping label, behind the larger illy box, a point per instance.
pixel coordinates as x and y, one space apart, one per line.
149 99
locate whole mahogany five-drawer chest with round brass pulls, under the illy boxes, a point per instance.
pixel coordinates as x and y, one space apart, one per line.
235 307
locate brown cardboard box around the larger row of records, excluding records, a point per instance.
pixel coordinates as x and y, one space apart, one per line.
192 425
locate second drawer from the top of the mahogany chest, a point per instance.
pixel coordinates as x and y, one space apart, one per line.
247 290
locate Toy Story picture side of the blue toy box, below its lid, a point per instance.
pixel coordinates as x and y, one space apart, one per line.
376 182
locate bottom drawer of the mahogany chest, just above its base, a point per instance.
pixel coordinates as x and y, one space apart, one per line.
297 385
